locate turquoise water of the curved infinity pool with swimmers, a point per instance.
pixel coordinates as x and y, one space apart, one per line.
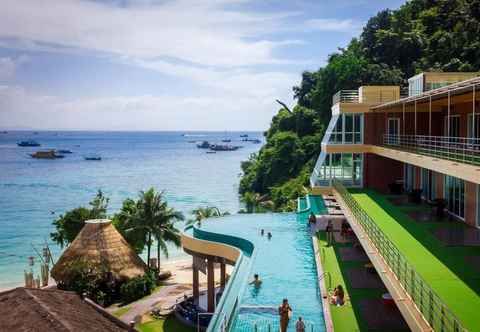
286 265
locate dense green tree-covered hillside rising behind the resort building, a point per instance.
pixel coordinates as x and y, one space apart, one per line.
422 35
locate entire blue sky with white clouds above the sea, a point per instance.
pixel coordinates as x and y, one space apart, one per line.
164 65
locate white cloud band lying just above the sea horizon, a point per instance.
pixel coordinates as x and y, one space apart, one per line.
232 111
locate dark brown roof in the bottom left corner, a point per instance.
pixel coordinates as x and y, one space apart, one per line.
29 309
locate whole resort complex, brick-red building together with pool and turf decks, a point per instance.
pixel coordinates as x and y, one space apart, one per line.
392 217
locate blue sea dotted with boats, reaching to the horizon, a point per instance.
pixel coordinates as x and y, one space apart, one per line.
35 192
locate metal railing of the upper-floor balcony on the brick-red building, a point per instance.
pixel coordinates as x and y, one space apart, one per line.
459 149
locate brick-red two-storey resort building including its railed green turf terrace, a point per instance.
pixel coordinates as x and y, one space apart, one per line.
403 165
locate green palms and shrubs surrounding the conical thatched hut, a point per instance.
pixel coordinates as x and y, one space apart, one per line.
143 222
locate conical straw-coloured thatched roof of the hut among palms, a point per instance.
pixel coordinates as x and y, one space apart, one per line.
100 246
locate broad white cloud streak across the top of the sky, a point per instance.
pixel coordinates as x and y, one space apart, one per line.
202 32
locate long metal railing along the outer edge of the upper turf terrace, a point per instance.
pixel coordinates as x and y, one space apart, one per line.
428 303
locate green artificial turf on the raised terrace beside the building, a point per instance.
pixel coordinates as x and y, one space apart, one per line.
443 268
